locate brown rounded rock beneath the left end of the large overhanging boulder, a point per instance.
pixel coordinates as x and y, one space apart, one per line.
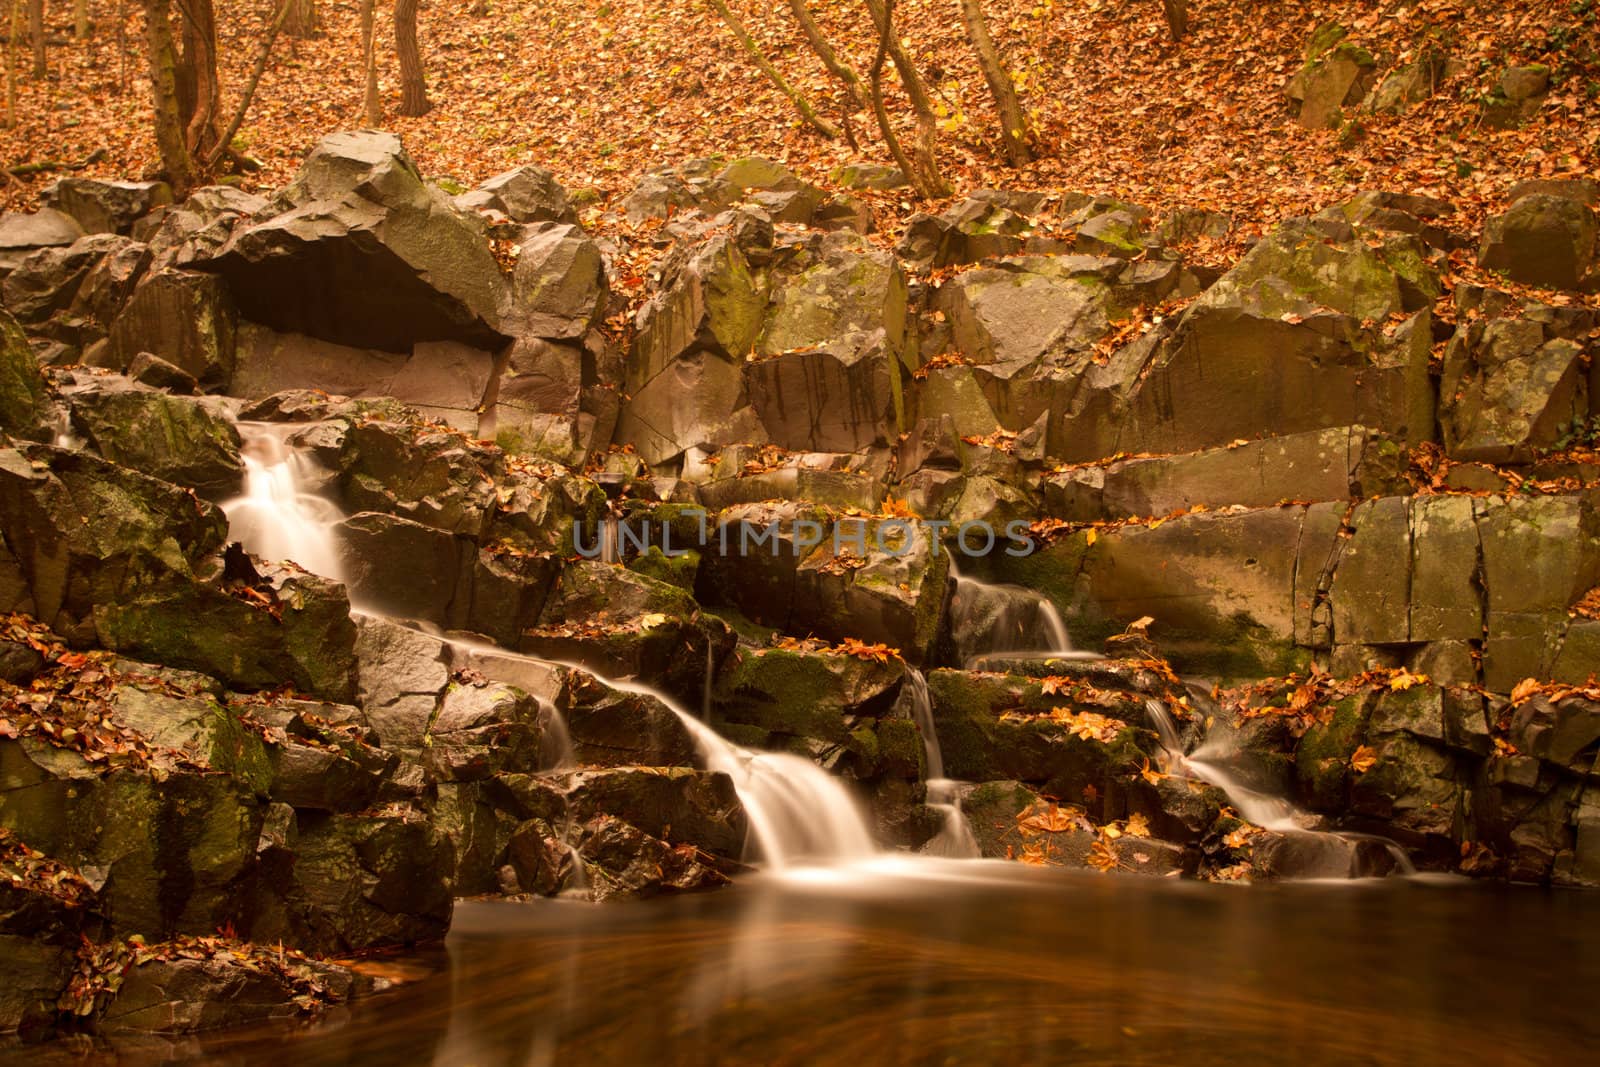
186 319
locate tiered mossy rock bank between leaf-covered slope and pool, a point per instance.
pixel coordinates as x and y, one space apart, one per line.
1329 510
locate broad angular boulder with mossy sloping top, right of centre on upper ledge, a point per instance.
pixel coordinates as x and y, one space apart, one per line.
1305 334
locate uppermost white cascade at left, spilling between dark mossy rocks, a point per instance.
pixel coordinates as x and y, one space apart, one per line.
278 518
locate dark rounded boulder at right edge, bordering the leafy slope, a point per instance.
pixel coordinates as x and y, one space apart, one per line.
1542 241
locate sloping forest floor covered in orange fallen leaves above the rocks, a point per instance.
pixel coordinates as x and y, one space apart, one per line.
601 92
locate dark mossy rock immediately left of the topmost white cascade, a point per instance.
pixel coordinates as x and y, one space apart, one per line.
186 442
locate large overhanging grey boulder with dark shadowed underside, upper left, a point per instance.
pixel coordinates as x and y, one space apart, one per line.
364 254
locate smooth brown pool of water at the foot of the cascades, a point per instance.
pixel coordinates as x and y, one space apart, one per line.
975 964
